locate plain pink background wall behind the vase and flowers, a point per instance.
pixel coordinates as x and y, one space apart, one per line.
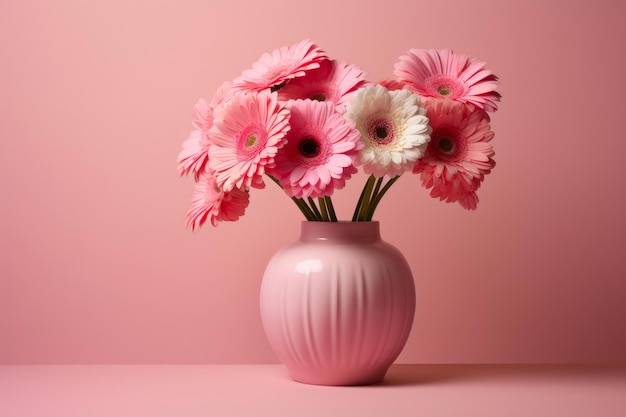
96 265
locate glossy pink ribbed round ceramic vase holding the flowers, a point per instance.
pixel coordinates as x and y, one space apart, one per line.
338 305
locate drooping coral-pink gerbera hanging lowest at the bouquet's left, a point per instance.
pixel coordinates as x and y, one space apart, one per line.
210 203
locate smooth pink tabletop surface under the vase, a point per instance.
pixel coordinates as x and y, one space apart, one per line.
267 390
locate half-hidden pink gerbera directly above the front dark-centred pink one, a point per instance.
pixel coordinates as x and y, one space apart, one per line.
333 81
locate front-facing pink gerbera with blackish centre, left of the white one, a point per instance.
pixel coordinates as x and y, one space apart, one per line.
320 152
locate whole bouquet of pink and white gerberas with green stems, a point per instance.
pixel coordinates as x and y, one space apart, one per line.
307 122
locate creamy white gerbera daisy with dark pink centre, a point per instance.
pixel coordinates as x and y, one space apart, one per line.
393 126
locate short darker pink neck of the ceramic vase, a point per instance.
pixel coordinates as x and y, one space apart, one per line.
340 231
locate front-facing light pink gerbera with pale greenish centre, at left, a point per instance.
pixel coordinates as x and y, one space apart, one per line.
246 135
